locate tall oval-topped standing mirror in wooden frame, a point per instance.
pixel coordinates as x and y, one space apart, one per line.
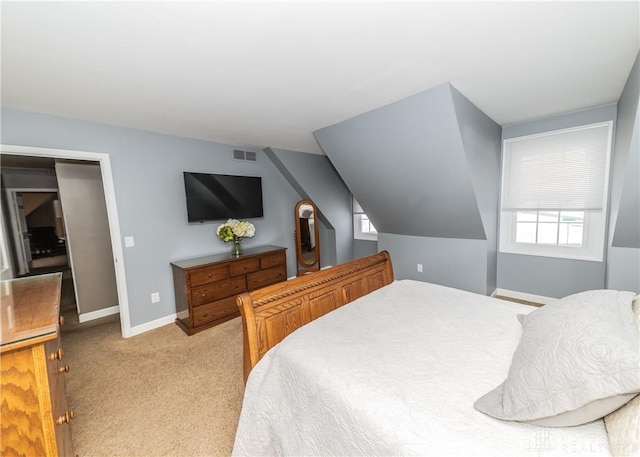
307 239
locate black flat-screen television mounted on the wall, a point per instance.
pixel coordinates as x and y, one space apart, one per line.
213 197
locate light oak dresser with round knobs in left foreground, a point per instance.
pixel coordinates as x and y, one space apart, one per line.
34 415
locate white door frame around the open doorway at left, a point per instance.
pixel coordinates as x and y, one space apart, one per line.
112 213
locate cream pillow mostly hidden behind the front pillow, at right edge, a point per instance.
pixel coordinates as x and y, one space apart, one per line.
623 425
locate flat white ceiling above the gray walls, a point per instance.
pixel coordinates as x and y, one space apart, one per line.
265 73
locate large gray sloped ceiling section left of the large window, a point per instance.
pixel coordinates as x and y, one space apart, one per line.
406 165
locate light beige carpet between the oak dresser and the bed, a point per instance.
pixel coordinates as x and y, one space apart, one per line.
161 393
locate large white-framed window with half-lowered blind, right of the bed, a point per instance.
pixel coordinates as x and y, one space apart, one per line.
554 193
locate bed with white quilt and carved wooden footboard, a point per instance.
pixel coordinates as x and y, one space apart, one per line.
401 370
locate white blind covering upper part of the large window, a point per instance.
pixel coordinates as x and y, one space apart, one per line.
561 170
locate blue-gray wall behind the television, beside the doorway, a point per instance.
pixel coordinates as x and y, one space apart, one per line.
147 171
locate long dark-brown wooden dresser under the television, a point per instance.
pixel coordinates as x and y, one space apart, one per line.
206 287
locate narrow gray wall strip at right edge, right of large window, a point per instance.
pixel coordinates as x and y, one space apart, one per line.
623 261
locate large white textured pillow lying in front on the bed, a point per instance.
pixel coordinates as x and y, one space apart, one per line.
577 361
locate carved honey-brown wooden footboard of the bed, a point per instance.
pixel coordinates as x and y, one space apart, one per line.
272 313
